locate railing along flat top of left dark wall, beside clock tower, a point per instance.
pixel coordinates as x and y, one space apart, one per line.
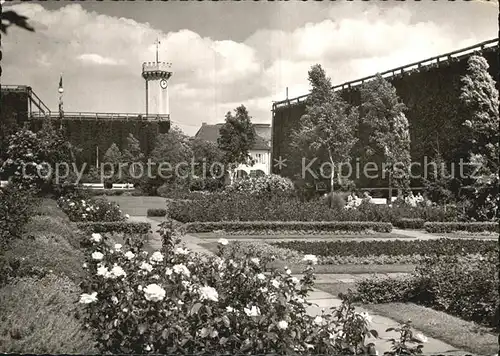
100 116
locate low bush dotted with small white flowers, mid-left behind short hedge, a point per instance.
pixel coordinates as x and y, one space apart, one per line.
94 209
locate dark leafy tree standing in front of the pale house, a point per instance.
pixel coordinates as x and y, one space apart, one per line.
237 136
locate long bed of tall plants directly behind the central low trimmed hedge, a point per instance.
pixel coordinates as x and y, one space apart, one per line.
274 207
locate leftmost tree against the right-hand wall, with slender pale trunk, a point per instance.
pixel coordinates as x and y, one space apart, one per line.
328 124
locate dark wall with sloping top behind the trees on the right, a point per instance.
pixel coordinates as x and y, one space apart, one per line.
435 114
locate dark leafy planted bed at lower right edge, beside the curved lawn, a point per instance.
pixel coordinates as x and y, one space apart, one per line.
465 287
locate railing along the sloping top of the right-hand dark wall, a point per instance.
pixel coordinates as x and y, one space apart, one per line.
399 70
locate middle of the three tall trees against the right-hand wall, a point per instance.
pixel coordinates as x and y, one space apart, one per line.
382 114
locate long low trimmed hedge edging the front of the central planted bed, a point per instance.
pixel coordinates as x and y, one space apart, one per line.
352 226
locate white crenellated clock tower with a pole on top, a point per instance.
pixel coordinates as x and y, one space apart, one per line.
156 74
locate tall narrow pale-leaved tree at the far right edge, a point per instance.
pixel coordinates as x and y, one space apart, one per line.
480 96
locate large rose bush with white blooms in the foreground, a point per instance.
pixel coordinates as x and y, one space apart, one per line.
175 301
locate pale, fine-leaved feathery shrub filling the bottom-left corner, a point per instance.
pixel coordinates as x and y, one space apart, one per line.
37 317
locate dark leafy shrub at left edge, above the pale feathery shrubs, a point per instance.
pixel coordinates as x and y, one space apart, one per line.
16 208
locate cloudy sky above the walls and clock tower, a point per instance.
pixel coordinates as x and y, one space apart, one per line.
225 54
